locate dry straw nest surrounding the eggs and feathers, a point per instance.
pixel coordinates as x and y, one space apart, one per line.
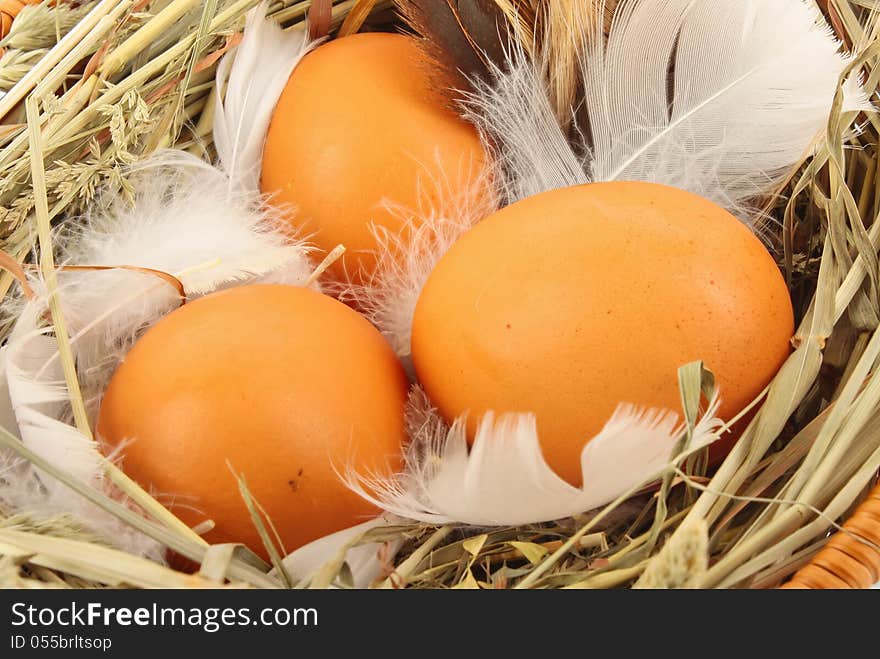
800 468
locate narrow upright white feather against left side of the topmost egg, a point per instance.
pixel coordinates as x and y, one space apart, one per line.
254 75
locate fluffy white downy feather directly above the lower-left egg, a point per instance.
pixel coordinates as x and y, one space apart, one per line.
184 221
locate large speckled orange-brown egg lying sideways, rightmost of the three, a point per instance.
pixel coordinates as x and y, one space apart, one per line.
570 302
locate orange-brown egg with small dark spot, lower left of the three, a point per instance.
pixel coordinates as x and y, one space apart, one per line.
284 384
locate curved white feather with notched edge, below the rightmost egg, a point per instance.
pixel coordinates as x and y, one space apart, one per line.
504 480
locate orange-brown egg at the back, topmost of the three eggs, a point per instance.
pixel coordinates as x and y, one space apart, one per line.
363 123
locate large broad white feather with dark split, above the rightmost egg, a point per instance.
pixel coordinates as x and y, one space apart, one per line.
754 83
